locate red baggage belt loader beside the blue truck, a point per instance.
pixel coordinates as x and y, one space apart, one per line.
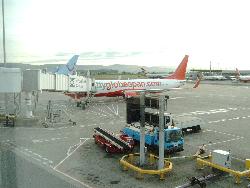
111 142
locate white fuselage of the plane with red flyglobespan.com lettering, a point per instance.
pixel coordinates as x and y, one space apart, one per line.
105 86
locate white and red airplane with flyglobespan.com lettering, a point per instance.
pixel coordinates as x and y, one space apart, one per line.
128 88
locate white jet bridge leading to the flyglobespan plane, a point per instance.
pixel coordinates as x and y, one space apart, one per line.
13 80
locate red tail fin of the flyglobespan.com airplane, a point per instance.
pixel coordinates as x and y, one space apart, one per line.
180 72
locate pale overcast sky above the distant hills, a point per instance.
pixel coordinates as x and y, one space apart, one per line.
161 31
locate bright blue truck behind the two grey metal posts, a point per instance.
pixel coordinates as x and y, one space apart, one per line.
173 137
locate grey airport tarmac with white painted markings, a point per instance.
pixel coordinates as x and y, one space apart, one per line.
65 155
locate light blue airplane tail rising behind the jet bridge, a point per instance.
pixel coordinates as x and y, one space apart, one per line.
69 68
